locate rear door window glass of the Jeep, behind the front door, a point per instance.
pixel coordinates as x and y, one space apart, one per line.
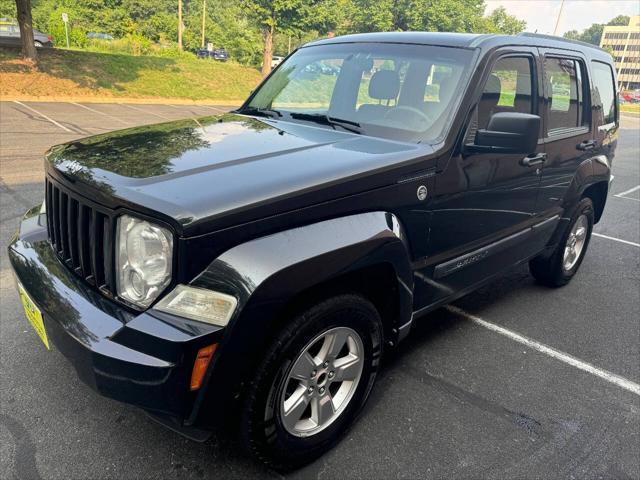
566 99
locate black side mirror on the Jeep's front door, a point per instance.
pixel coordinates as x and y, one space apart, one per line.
508 133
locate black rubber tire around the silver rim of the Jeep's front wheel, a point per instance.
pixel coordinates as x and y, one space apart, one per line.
262 428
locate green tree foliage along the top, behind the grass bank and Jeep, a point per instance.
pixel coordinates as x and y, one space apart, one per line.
150 27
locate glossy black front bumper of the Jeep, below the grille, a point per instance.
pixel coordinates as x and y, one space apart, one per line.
142 359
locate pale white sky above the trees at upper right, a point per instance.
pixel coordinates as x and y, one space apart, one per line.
541 15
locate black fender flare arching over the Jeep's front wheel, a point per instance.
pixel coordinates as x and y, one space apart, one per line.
266 273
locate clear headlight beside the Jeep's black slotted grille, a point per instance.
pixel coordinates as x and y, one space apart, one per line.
144 260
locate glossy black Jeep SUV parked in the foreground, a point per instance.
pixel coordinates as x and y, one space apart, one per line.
255 266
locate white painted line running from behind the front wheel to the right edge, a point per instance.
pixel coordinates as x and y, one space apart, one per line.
552 352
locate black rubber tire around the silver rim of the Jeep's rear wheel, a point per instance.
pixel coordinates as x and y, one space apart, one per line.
550 270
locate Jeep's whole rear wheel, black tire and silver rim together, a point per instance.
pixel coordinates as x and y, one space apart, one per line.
559 268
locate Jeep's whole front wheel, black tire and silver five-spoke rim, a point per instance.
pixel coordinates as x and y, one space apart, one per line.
313 381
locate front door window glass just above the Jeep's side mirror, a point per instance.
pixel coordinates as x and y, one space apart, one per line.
508 89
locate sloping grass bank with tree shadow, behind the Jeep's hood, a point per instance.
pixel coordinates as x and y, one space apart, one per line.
69 73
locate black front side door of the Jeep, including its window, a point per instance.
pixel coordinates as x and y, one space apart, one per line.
482 200
